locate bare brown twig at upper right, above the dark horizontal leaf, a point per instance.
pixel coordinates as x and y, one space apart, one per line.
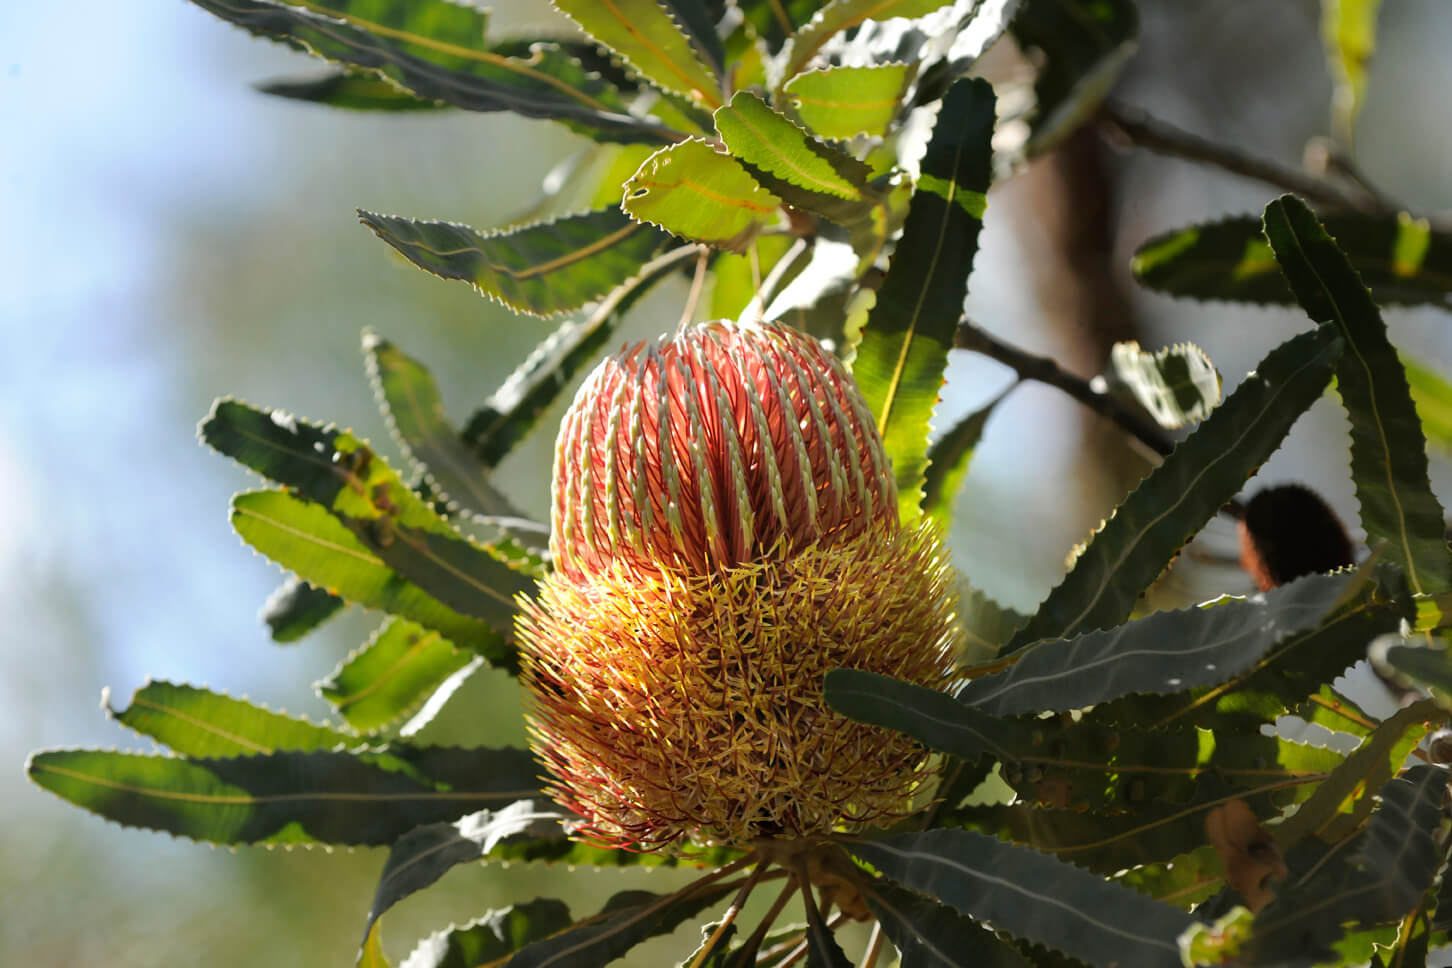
1143 131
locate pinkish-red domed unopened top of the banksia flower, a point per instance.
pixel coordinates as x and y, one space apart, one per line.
724 445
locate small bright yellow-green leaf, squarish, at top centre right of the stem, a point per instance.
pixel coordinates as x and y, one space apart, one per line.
844 102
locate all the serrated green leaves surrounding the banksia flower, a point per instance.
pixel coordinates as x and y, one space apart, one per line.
1106 776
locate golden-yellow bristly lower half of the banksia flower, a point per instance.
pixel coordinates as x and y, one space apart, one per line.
683 706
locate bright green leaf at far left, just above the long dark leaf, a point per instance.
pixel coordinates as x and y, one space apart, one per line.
203 723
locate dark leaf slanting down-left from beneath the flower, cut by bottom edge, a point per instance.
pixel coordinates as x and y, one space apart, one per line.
628 919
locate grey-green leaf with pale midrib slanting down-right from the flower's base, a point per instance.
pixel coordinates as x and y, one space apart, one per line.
1032 896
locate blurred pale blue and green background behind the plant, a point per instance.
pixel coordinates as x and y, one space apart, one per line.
175 236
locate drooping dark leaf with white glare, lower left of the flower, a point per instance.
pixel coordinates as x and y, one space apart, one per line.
426 854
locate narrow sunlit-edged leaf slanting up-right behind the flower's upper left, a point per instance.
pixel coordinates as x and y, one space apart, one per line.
521 403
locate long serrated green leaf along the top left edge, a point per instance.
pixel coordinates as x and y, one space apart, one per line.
438 50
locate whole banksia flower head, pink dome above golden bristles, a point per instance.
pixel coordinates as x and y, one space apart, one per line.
725 533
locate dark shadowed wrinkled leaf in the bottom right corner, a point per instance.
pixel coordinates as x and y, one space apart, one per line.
1395 867
